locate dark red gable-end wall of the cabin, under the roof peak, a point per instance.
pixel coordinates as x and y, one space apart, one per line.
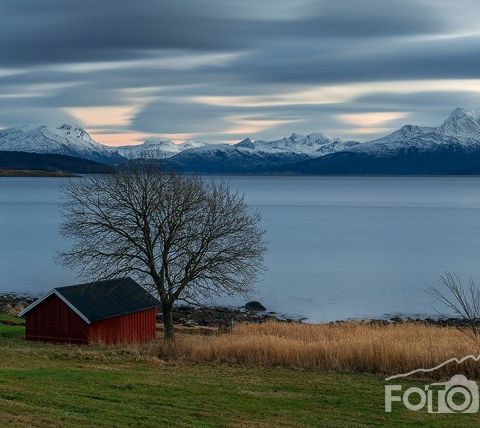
53 321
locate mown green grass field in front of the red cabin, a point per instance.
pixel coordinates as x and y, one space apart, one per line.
54 385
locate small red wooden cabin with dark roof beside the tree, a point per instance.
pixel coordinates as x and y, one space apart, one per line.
114 311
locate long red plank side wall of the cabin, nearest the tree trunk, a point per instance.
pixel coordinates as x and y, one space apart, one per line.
137 327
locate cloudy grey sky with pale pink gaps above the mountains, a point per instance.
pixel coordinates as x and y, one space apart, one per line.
224 70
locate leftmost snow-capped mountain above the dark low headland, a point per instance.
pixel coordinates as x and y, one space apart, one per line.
66 139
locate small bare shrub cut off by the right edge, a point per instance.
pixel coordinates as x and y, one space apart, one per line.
462 299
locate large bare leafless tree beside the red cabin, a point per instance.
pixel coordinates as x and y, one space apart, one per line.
183 237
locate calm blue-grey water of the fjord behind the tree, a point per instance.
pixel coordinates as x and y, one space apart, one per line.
339 247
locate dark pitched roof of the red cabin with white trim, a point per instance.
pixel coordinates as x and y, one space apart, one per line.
95 301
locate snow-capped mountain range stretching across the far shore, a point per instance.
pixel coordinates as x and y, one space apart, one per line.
451 148
